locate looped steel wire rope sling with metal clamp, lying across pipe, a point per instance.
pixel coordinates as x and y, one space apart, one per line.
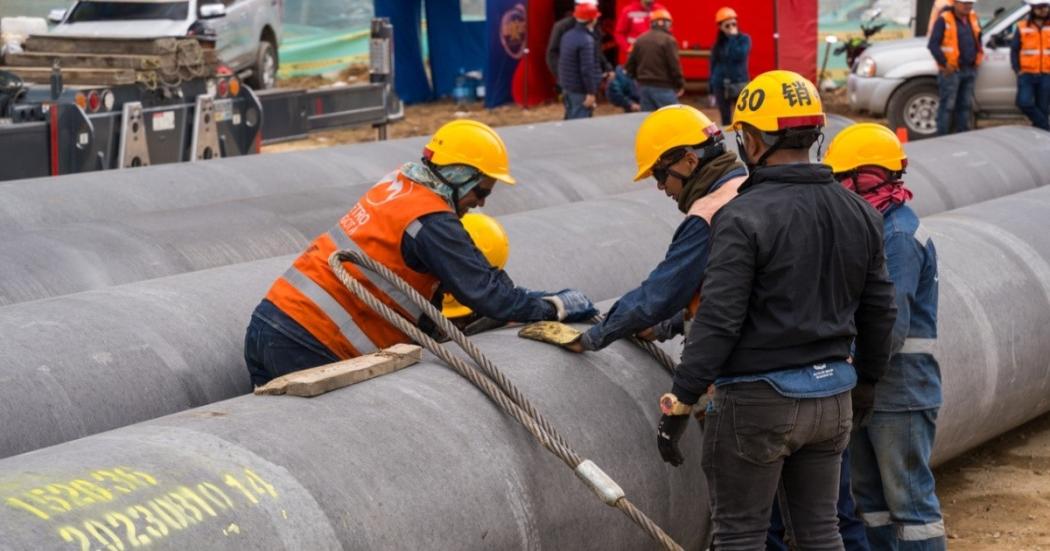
494 385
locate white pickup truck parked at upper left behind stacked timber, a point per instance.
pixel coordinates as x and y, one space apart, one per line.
246 32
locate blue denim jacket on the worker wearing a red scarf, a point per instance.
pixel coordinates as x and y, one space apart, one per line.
914 378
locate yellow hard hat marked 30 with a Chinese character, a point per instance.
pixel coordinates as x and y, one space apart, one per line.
780 100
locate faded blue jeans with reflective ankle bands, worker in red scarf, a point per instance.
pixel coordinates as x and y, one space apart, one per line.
894 484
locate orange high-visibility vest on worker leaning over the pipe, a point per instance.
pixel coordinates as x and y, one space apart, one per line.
312 295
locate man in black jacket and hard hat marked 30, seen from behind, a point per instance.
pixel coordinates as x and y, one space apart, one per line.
796 275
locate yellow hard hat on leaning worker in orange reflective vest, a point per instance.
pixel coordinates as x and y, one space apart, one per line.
471 143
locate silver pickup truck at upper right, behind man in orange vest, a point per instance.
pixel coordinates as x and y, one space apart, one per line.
898 79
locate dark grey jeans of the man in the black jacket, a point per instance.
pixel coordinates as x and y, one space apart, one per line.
758 439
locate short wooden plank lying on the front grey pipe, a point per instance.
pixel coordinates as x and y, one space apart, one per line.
327 378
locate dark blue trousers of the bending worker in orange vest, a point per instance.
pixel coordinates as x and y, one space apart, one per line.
270 353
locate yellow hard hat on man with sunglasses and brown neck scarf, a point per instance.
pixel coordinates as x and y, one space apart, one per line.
667 129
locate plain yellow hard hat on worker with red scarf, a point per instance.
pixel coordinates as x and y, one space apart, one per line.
866 144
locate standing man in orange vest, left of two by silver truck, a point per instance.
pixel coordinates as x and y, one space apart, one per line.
956 46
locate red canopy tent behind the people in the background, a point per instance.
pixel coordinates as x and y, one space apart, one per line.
784 35
